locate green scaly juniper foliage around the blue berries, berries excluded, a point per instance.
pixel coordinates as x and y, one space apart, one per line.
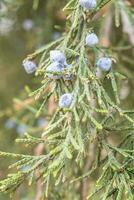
96 116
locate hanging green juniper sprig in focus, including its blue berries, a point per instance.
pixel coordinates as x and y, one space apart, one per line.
85 111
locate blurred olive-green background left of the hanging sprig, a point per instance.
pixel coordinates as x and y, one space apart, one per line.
24 27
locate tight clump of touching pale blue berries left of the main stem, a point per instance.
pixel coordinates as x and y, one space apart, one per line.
58 65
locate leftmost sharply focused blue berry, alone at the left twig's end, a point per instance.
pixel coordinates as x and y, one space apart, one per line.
29 66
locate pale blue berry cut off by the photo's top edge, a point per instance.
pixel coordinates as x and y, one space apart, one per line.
88 4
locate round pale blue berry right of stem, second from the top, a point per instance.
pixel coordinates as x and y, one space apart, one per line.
92 40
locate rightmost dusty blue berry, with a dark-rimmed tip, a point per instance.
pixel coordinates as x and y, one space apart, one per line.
104 63
